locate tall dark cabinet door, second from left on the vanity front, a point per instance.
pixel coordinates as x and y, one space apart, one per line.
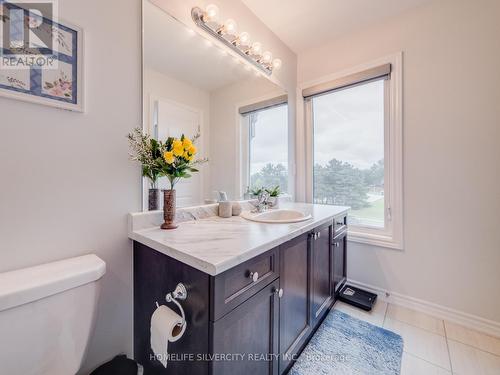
295 319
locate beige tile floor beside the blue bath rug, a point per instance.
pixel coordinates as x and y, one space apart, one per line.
433 346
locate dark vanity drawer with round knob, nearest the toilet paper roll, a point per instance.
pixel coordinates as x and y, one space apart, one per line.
235 286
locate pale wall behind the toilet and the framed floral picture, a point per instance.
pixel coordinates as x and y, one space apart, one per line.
66 182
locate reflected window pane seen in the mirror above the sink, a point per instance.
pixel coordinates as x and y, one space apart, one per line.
267 132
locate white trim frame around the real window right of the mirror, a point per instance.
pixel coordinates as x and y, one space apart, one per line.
391 236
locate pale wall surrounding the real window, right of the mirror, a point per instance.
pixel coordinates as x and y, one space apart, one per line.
451 152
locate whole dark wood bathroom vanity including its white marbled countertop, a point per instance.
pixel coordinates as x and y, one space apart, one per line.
256 292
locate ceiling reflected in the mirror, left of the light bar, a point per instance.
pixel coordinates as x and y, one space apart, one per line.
175 50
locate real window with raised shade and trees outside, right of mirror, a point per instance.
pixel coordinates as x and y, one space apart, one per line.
355 123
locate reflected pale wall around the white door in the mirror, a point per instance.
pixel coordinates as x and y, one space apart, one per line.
158 85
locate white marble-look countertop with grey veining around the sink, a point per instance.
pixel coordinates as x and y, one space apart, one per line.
214 245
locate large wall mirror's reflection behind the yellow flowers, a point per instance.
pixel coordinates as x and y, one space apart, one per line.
192 84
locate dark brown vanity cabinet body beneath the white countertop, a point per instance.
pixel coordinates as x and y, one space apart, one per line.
254 318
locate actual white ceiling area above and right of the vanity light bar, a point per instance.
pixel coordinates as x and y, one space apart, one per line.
303 24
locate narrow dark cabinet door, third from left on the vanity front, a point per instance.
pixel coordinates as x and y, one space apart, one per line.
322 292
